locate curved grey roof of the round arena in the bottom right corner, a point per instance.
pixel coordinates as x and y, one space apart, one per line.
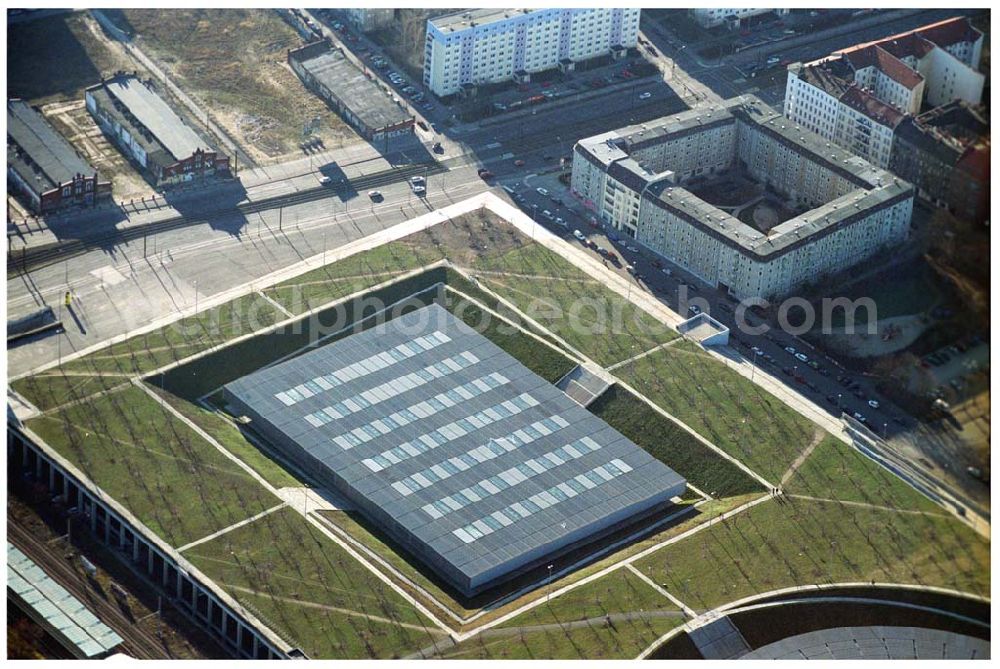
874 643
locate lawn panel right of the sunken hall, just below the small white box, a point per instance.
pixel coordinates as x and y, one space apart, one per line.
735 414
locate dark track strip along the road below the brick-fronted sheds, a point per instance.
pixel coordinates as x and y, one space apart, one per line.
43 256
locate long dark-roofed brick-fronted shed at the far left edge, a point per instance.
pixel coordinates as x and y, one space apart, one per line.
44 167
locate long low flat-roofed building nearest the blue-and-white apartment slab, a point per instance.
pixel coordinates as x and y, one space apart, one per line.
370 109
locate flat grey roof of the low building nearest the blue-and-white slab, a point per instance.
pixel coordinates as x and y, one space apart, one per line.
366 100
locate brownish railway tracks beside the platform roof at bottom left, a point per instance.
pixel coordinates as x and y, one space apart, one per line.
138 642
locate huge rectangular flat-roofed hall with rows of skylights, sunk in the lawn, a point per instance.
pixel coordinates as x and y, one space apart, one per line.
466 458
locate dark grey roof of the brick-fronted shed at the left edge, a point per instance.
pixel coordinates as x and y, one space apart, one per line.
46 159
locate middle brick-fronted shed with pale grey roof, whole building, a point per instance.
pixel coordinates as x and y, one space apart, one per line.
143 125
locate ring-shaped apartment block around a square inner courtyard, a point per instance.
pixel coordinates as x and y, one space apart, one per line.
634 179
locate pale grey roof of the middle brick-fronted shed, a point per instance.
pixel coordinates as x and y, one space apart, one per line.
156 115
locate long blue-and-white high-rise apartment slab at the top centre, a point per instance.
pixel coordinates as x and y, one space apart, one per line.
484 46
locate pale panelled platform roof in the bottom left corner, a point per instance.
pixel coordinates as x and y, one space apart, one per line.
63 612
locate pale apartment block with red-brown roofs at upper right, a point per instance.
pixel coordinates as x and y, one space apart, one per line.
857 97
